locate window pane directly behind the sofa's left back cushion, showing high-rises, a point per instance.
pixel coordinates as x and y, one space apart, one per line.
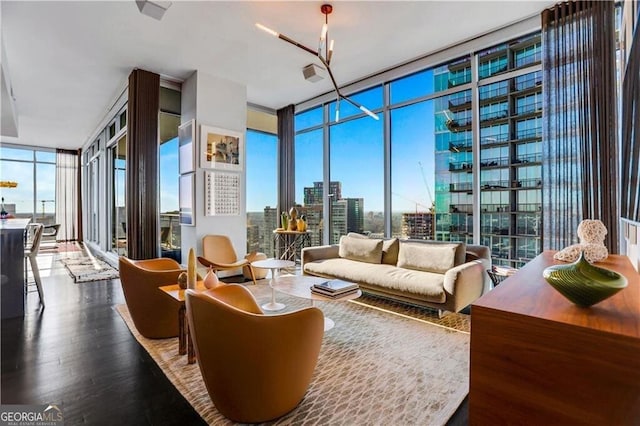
357 168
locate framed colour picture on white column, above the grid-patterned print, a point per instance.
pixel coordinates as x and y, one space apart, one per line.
220 149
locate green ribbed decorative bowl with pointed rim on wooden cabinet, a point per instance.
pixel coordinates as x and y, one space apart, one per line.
584 284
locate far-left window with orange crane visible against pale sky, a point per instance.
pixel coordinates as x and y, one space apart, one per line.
33 171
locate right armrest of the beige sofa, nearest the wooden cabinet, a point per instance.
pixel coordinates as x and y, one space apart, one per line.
465 283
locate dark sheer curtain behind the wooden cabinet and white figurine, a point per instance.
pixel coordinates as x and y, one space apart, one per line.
580 150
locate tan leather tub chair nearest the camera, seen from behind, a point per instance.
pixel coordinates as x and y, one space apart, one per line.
256 367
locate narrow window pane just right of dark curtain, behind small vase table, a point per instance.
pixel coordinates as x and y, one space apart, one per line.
309 191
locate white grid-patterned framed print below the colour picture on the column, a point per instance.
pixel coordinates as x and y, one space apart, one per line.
222 194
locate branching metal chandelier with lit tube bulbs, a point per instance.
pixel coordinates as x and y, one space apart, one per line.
324 54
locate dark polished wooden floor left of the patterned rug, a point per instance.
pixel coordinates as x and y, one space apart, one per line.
77 352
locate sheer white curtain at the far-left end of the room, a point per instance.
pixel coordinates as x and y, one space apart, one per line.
67 195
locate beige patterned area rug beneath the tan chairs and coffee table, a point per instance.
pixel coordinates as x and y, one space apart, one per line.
375 367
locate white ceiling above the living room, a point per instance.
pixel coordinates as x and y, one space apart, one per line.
68 61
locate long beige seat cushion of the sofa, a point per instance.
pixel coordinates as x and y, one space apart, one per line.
425 286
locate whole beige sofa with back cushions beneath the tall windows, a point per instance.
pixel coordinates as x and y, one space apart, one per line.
447 276
